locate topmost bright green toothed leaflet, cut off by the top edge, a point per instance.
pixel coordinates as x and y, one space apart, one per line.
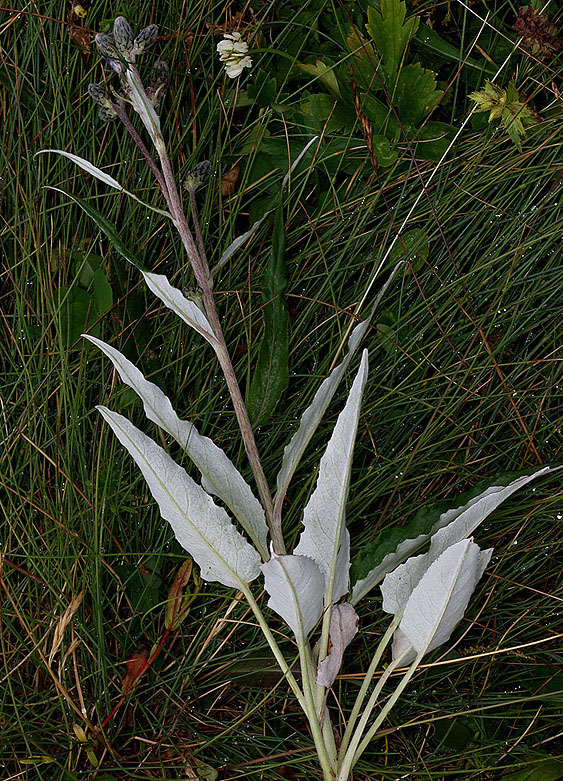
391 34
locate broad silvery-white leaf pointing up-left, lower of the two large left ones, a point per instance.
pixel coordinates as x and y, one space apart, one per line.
202 528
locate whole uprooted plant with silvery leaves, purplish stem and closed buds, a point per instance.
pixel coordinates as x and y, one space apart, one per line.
239 542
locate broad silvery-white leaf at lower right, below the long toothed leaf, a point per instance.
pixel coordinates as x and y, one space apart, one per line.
438 602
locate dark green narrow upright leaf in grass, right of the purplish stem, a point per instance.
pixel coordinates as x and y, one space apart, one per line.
271 374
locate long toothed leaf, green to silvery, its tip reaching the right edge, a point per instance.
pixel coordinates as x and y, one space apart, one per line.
465 519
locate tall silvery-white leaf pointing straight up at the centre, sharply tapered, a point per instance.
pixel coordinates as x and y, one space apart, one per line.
325 537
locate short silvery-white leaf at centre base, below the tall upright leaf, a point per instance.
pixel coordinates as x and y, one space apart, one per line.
296 587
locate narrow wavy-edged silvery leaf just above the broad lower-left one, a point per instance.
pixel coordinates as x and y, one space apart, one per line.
220 474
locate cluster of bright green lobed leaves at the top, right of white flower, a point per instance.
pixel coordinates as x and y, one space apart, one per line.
378 85
